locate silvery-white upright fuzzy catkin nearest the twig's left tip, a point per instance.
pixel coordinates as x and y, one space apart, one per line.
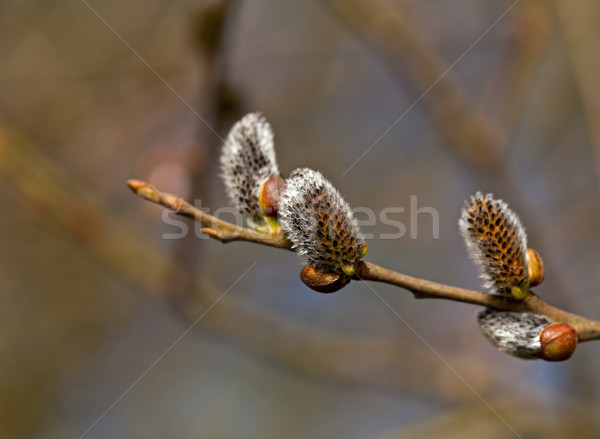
247 163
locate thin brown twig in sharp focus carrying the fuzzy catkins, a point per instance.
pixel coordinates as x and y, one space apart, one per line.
225 232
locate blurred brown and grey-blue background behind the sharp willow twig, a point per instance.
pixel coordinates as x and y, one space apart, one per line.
100 334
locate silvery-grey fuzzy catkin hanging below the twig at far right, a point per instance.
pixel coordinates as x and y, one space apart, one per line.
516 333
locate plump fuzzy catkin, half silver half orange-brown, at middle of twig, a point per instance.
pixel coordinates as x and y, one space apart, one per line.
320 224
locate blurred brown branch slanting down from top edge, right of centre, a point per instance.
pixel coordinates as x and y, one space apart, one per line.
390 35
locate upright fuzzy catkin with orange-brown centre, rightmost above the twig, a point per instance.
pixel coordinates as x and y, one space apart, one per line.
497 243
